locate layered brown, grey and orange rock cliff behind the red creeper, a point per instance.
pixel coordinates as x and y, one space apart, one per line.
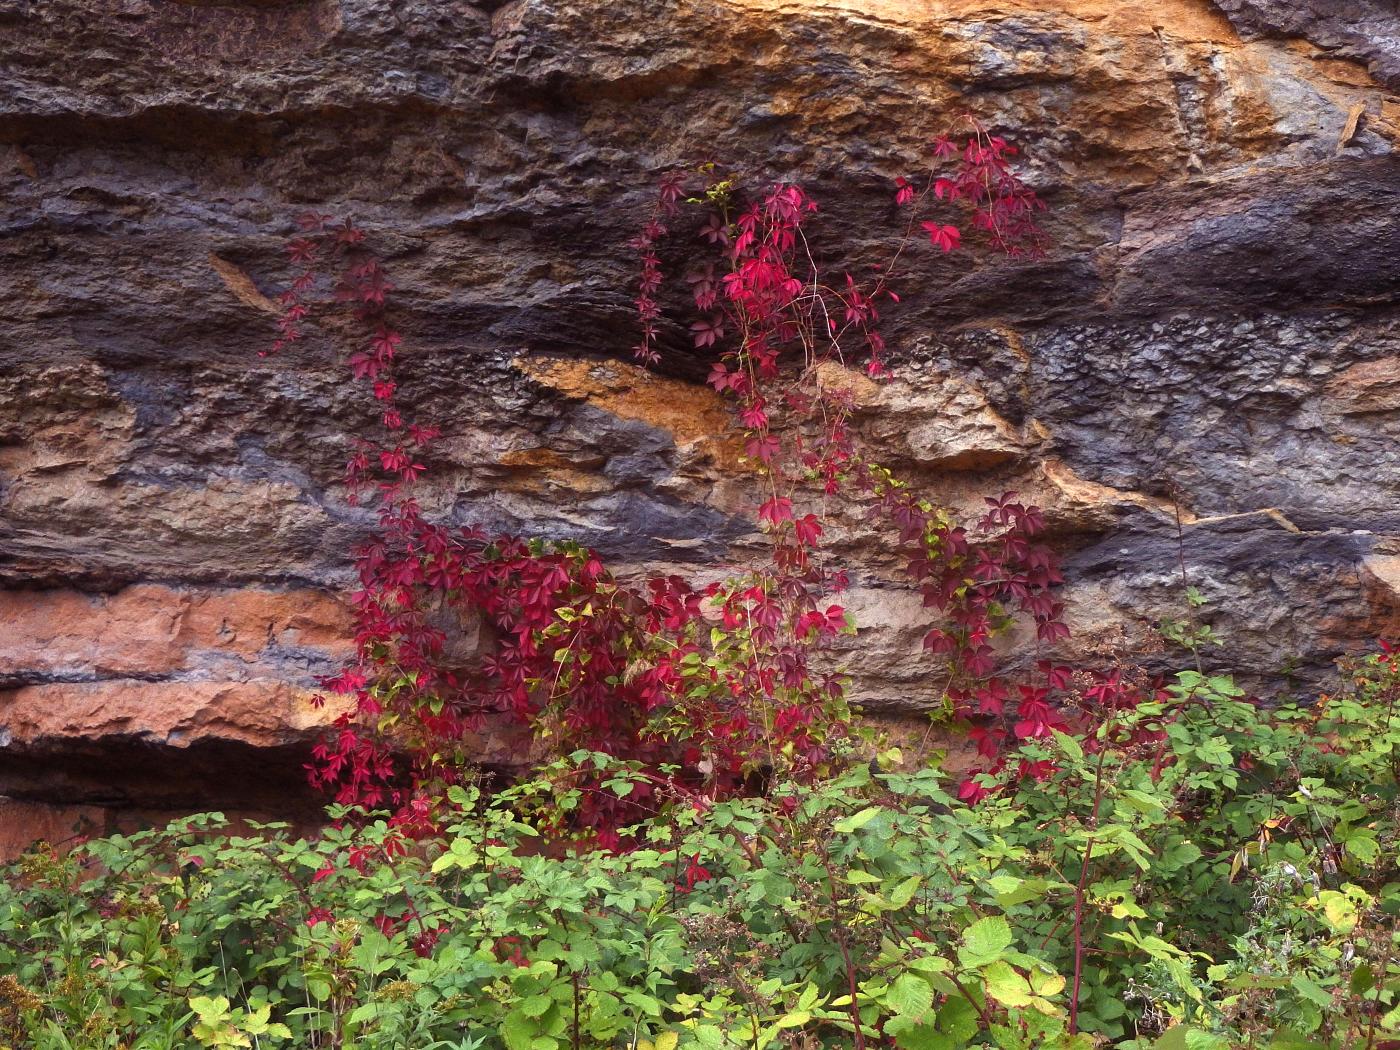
1214 332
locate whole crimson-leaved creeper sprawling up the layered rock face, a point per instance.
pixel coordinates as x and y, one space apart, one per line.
709 688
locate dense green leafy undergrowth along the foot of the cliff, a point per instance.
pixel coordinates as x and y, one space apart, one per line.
1200 871
